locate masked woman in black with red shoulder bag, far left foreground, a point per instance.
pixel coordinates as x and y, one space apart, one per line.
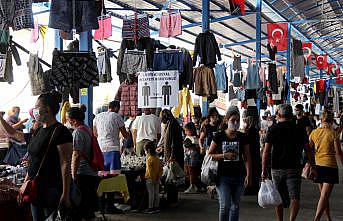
53 180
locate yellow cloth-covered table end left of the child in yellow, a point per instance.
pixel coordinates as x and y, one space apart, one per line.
116 184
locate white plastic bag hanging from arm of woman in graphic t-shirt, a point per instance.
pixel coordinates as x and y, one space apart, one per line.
209 170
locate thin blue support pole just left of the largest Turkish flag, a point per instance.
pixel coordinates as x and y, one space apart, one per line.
258 42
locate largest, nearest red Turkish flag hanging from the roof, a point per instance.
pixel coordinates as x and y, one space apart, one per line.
278 35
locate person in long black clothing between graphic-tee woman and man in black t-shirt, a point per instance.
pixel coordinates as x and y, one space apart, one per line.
252 132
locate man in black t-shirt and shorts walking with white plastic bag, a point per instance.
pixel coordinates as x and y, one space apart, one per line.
286 141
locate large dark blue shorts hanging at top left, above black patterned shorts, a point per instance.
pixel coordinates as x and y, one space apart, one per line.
61 16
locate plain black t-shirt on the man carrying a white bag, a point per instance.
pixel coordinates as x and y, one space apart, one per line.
288 141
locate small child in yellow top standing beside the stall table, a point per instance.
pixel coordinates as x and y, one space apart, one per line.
153 174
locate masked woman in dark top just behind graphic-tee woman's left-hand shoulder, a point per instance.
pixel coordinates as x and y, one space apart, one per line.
209 127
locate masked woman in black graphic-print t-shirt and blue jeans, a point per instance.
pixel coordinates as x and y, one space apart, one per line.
231 149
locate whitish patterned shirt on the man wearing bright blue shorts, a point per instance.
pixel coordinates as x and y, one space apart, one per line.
108 126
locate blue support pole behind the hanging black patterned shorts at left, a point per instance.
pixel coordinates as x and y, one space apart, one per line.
86 94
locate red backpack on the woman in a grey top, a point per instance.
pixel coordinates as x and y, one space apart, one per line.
97 162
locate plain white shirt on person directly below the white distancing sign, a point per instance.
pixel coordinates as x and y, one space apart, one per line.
147 126
